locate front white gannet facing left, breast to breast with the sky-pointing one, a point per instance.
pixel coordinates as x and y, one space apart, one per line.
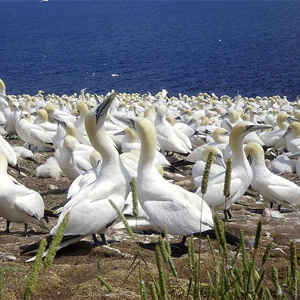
182 212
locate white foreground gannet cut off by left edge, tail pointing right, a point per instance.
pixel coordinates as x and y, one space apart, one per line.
18 203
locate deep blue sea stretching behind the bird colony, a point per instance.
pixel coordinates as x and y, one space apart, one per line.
184 47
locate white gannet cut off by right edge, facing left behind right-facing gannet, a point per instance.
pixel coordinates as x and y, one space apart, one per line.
272 187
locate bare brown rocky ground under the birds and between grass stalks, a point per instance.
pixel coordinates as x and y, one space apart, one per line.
74 273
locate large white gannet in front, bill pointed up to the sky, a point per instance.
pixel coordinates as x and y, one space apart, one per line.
89 210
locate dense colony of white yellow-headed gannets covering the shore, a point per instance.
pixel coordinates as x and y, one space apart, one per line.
101 142
